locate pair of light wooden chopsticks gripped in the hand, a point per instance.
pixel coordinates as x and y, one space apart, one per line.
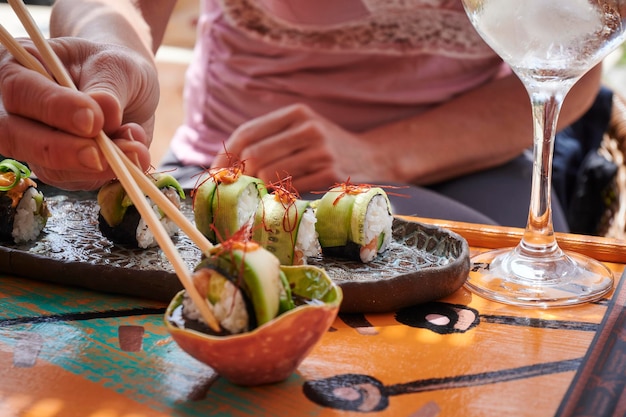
133 180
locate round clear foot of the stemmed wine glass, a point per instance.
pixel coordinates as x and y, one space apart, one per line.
510 277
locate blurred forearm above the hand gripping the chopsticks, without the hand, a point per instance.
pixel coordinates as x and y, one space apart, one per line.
138 24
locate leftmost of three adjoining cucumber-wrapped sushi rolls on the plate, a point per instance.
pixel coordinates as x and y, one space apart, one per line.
225 201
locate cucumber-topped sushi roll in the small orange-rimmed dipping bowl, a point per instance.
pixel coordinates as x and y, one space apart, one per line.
243 284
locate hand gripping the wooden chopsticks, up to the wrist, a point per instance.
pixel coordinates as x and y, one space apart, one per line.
51 128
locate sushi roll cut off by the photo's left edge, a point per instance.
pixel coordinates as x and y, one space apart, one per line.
23 209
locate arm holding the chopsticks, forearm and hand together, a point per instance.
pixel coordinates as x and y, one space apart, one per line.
108 48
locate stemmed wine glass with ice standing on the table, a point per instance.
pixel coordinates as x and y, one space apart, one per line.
549 44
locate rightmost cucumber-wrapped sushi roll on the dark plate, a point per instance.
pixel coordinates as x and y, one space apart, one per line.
354 222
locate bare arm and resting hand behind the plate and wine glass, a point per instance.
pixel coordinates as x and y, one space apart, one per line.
479 129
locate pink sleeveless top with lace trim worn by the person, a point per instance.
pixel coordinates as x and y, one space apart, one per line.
360 63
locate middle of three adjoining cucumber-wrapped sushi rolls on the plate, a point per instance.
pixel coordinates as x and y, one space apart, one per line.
285 226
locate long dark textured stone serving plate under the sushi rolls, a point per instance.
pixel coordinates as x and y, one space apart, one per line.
423 263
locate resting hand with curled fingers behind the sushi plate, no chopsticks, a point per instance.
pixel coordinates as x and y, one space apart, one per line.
296 141
